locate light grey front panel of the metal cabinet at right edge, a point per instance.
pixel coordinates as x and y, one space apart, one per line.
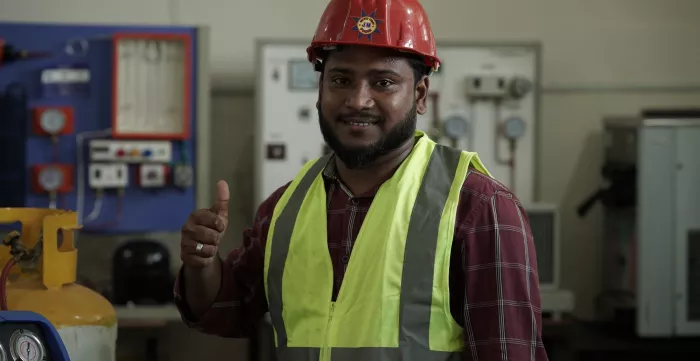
666 215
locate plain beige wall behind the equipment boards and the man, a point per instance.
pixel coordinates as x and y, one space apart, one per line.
600 58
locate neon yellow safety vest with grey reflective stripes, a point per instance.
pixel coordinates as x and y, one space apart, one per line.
394 302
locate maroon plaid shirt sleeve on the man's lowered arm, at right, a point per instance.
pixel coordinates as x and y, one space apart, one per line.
501 307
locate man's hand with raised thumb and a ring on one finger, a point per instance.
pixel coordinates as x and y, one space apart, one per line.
199 242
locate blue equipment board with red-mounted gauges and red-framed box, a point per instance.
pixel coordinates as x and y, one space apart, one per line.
75 77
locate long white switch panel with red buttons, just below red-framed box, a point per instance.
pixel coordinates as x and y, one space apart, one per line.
132 151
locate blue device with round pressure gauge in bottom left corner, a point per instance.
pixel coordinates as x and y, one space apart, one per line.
28 336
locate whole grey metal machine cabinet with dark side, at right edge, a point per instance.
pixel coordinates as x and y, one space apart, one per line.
652 245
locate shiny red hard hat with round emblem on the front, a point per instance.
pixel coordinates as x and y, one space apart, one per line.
395 24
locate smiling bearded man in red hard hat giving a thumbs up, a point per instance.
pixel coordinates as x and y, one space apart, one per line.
430 258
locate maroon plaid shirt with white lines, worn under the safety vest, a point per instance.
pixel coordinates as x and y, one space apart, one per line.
494 288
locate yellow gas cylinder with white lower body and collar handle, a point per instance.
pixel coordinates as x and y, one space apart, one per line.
43 281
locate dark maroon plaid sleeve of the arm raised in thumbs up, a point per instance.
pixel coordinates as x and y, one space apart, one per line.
241 301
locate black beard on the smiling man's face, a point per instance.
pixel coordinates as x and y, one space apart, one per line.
360 157
